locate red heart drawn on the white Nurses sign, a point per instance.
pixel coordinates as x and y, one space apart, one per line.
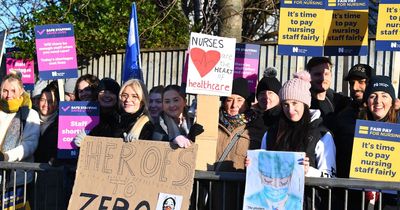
204 61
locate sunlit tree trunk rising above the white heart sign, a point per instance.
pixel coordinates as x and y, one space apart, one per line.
231 12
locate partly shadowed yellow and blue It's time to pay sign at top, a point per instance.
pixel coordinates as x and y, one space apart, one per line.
347 28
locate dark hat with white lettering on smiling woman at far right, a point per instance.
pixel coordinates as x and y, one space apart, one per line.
380 83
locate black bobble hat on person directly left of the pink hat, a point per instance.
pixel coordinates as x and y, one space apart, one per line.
269 81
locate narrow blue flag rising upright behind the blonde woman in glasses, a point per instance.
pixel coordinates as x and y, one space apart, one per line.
132 66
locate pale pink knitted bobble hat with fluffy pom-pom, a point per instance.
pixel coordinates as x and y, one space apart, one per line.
297 88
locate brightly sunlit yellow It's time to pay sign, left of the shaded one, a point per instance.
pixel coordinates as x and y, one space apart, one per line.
301 27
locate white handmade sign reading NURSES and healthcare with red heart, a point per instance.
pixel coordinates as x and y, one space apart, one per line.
211 63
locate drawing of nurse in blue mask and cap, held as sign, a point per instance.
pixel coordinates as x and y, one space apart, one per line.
274 180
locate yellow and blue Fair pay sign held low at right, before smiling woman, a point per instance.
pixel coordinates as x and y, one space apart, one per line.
376 151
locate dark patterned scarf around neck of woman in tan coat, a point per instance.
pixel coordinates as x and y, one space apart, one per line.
232 122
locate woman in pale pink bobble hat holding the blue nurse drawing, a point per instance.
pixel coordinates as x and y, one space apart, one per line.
300 129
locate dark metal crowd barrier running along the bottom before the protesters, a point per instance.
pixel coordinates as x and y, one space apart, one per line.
43 196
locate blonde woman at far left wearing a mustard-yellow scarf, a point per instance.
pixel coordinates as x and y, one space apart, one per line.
19 132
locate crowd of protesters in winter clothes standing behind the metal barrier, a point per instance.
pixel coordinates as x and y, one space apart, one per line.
302 115
